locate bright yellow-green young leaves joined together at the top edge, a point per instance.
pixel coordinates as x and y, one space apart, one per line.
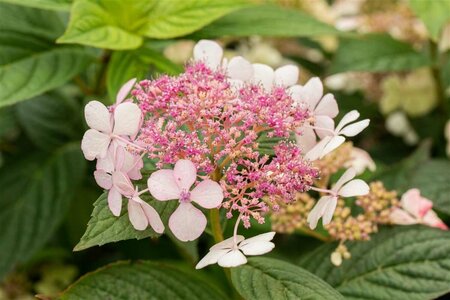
120 25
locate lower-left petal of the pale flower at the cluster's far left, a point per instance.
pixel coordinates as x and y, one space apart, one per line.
94 144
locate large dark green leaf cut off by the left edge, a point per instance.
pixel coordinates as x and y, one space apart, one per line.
35 193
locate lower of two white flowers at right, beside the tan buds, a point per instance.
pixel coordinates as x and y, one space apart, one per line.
344 187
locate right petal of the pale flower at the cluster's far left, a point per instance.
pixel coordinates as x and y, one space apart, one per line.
127 117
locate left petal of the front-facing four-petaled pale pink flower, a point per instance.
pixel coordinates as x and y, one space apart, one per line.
162 185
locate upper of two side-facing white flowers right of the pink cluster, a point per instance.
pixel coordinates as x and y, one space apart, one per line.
335 136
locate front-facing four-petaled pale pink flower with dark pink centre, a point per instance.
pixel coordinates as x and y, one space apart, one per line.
187 222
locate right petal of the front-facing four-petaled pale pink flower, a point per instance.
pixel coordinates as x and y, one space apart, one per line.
208 194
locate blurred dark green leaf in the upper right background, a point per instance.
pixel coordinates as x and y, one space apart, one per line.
376 53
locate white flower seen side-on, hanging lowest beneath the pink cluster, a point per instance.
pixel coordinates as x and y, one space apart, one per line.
230 252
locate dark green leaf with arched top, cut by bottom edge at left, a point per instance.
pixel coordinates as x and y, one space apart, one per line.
141 280
